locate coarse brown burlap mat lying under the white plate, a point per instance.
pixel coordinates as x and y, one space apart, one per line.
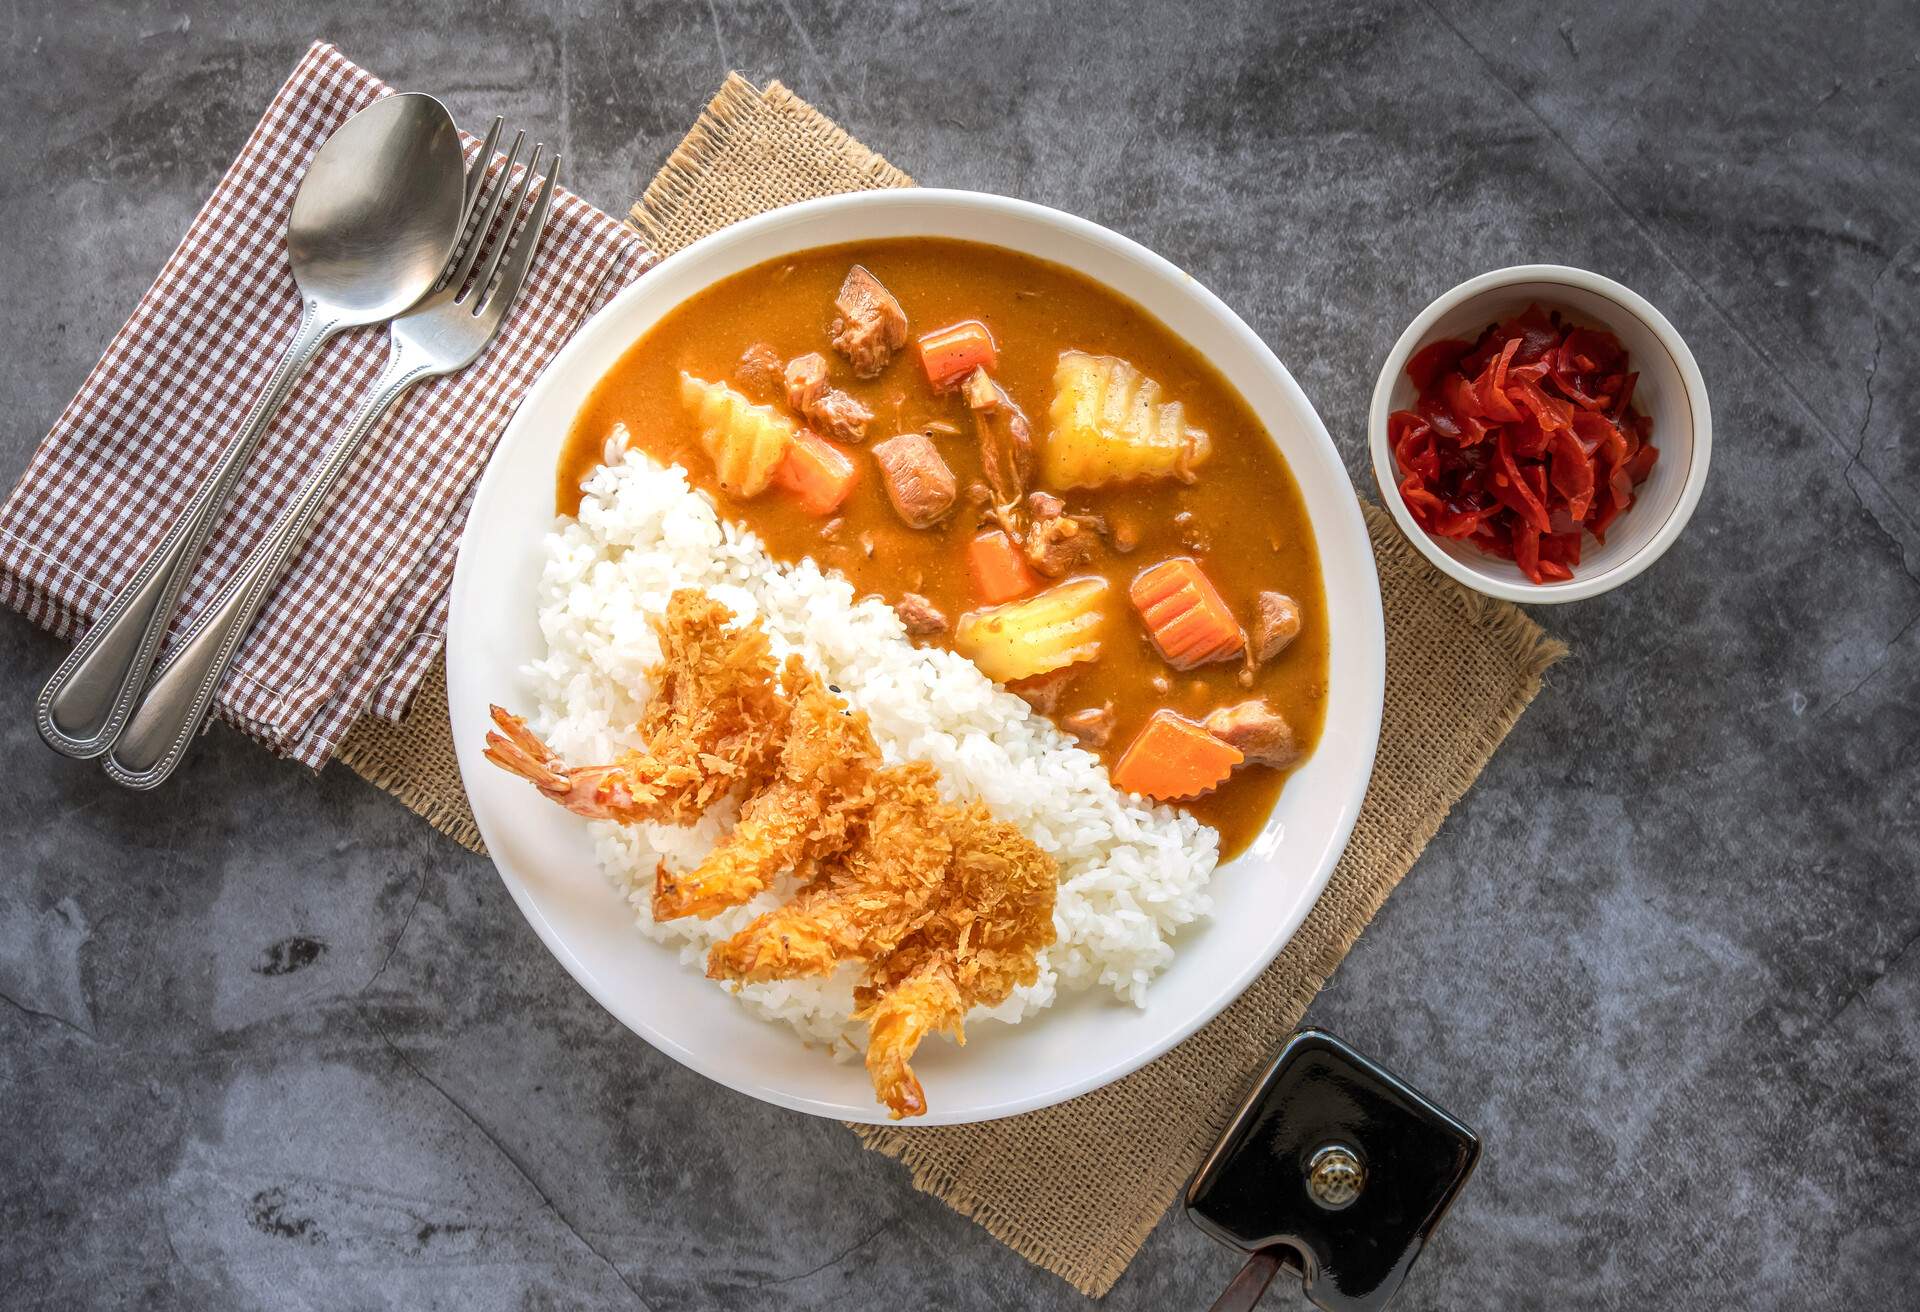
1080 1186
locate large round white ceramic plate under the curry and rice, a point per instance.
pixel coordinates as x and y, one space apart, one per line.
546 858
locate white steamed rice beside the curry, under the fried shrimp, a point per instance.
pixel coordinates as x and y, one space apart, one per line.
1130 875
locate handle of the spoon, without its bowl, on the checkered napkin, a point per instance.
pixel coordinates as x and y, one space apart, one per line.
85 704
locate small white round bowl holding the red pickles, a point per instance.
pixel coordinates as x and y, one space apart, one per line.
1669 391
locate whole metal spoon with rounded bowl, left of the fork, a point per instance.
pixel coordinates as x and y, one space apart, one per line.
373 224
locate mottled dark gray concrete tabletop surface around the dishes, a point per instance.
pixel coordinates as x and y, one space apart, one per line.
266 1040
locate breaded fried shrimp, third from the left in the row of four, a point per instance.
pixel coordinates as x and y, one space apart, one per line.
865 900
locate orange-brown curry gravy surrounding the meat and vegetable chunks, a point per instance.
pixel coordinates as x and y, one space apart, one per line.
1243 518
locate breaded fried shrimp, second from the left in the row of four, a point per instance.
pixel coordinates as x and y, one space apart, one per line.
804 814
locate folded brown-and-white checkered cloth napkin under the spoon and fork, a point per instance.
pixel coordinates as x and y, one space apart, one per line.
360 614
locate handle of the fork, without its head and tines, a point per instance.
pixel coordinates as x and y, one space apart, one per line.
181 692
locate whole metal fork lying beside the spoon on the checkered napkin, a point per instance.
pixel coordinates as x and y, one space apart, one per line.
441 335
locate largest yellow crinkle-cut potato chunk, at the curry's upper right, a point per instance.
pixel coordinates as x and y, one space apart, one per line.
1113 424
